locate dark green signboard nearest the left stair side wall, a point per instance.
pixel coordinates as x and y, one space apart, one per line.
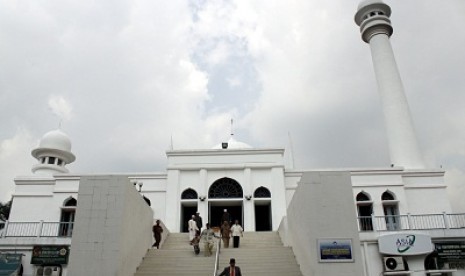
50 254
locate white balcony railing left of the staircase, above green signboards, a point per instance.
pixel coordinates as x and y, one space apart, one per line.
36 229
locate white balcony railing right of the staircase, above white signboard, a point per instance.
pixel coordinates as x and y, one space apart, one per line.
411 222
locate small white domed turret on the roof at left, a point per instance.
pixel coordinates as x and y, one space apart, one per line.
53 153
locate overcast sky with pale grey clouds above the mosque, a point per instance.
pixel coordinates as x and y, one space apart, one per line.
128 79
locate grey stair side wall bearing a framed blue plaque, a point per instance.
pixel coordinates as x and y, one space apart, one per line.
322 213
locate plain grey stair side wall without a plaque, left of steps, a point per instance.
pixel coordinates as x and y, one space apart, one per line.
112 229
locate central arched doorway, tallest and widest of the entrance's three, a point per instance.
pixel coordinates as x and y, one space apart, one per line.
225 193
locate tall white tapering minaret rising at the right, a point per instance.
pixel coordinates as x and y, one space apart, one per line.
373 18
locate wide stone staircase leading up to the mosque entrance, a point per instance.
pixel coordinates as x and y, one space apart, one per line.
259 254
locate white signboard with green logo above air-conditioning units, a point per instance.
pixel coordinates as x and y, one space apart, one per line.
405 244
